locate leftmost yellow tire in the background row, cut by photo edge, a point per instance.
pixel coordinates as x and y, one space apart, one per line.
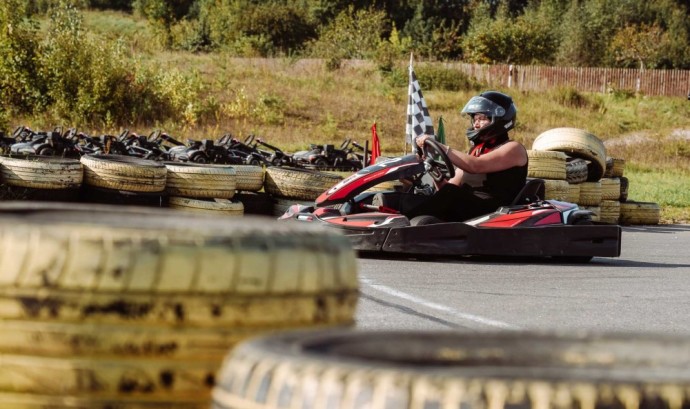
41 172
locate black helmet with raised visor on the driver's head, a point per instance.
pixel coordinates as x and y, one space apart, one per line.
499 107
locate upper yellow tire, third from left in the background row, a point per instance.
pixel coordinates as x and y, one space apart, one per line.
200 181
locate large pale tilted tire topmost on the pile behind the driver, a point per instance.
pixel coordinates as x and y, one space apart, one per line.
576 143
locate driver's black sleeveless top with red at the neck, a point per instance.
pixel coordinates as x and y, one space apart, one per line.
504 185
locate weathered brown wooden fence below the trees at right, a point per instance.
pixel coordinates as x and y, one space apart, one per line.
539 78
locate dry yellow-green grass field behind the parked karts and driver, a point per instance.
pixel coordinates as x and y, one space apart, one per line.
292 103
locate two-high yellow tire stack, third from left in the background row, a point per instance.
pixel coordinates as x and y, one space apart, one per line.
202 188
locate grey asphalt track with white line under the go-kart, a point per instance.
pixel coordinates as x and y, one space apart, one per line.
646 289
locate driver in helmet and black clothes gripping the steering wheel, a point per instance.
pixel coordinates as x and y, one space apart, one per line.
490 175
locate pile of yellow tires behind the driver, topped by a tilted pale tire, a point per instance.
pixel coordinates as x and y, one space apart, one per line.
576 169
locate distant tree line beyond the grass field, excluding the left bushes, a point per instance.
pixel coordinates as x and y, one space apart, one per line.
594 33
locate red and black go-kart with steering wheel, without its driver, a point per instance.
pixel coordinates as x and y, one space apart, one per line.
530 226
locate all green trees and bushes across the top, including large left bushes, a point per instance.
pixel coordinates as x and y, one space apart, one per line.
51 65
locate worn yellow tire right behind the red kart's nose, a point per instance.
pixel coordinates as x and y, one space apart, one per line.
299 184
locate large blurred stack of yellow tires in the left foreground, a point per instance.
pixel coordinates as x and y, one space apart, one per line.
108 306
